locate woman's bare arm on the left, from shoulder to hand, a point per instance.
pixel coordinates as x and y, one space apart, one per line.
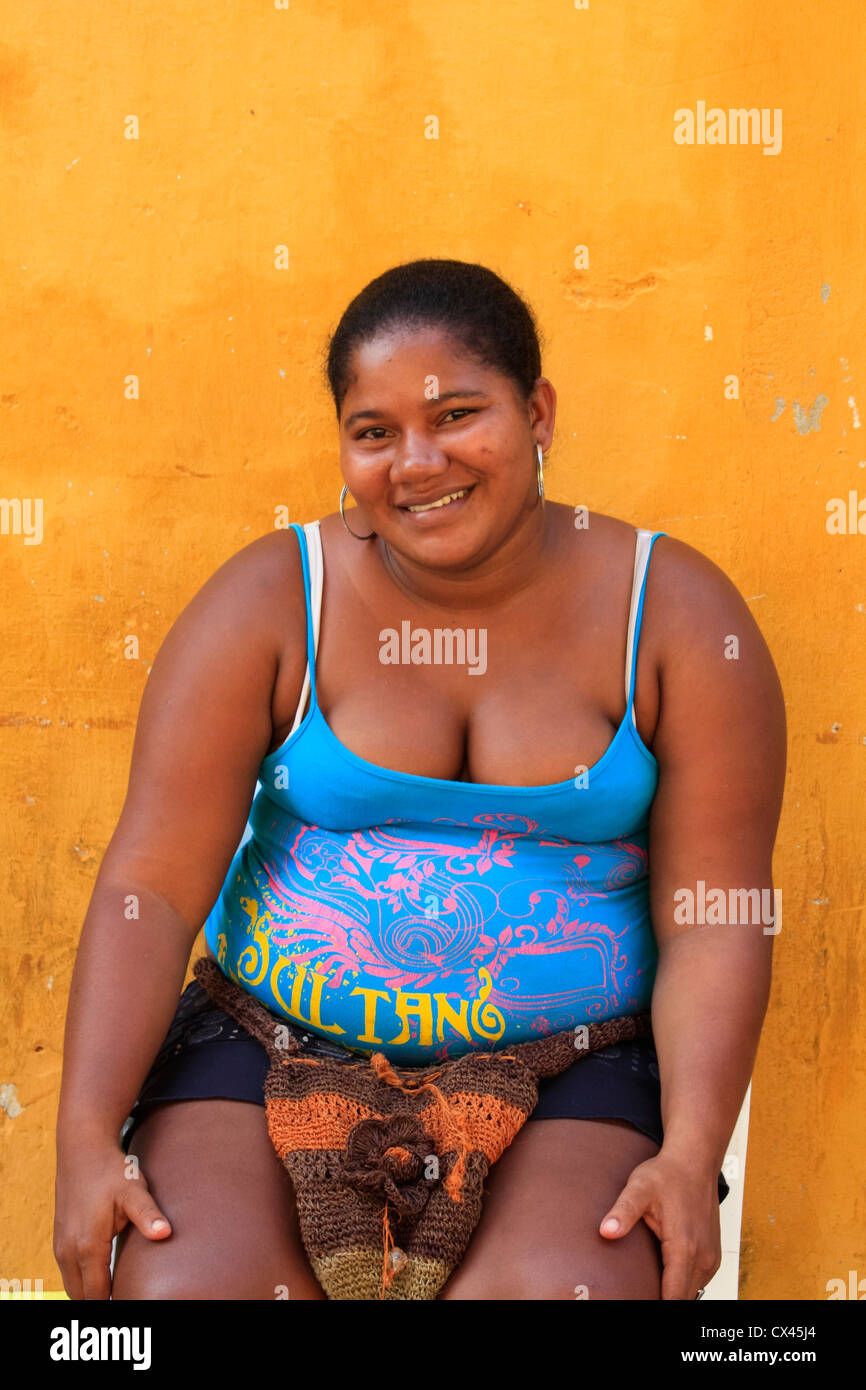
205 726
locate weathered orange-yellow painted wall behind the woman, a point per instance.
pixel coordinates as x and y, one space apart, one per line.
308 126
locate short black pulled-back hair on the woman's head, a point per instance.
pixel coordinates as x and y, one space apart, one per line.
471 302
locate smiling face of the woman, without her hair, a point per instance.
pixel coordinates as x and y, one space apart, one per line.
420 422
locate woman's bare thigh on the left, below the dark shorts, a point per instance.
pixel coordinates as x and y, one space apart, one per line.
215 1174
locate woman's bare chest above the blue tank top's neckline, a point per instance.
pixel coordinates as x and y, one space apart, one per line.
529 698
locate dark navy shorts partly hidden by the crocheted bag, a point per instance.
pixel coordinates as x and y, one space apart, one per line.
206 1056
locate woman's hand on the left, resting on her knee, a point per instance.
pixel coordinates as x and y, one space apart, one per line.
99 1191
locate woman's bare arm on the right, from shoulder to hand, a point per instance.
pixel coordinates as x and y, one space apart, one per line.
721 747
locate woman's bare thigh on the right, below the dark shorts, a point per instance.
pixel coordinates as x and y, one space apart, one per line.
546 1199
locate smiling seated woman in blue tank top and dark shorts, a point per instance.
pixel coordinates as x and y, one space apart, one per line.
447 851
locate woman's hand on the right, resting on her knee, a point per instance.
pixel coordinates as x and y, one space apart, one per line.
682 1207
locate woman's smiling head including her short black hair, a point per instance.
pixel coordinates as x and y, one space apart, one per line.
440 362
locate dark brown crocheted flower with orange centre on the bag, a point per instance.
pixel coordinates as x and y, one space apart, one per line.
390 1156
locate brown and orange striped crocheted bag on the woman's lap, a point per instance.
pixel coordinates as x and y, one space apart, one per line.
389 1164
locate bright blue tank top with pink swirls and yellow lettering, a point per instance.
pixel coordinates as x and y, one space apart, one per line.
425 918
